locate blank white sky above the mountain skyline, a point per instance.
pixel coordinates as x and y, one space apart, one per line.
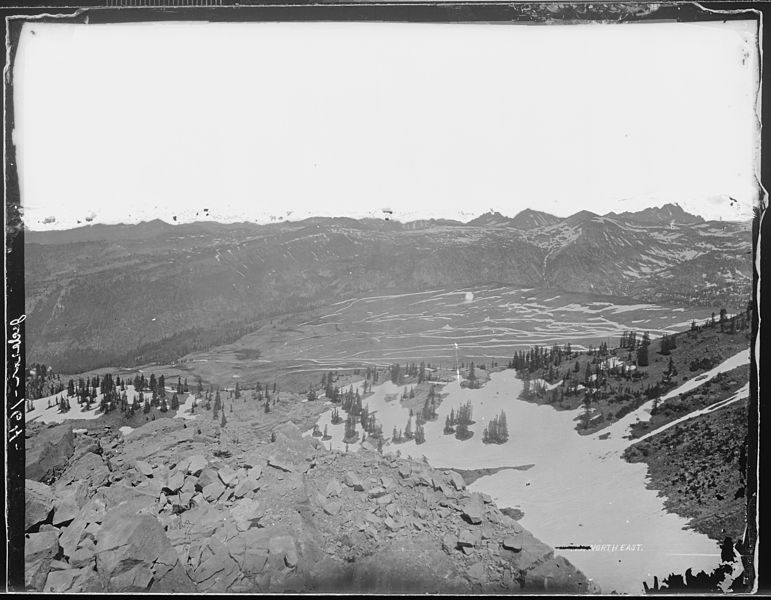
264 121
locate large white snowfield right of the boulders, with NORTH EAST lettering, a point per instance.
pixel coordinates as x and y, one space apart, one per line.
569 493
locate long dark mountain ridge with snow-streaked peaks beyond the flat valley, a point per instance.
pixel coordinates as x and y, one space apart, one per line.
125 294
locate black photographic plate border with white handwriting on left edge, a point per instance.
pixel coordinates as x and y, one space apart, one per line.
104 11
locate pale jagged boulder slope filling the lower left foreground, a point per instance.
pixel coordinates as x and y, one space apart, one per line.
167 509
